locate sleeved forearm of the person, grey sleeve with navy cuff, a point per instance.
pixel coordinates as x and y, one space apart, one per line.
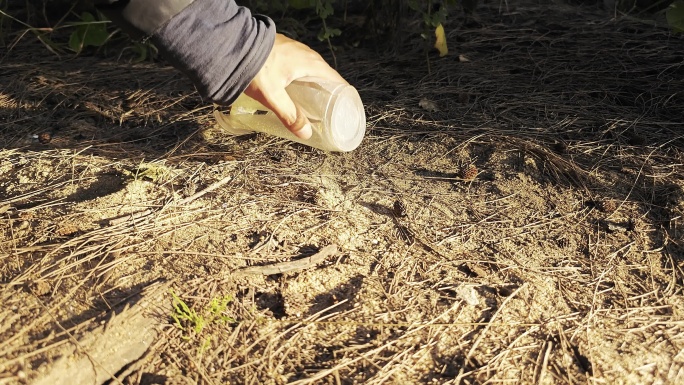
216 43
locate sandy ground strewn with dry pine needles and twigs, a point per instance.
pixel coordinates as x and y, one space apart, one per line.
560 261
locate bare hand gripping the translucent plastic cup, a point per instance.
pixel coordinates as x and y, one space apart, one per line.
289 60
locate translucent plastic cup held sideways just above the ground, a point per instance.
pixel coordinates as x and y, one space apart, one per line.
335 110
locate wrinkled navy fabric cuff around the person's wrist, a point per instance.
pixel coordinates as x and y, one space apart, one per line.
219 45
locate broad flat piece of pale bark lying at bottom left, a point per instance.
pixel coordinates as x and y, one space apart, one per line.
99 354
